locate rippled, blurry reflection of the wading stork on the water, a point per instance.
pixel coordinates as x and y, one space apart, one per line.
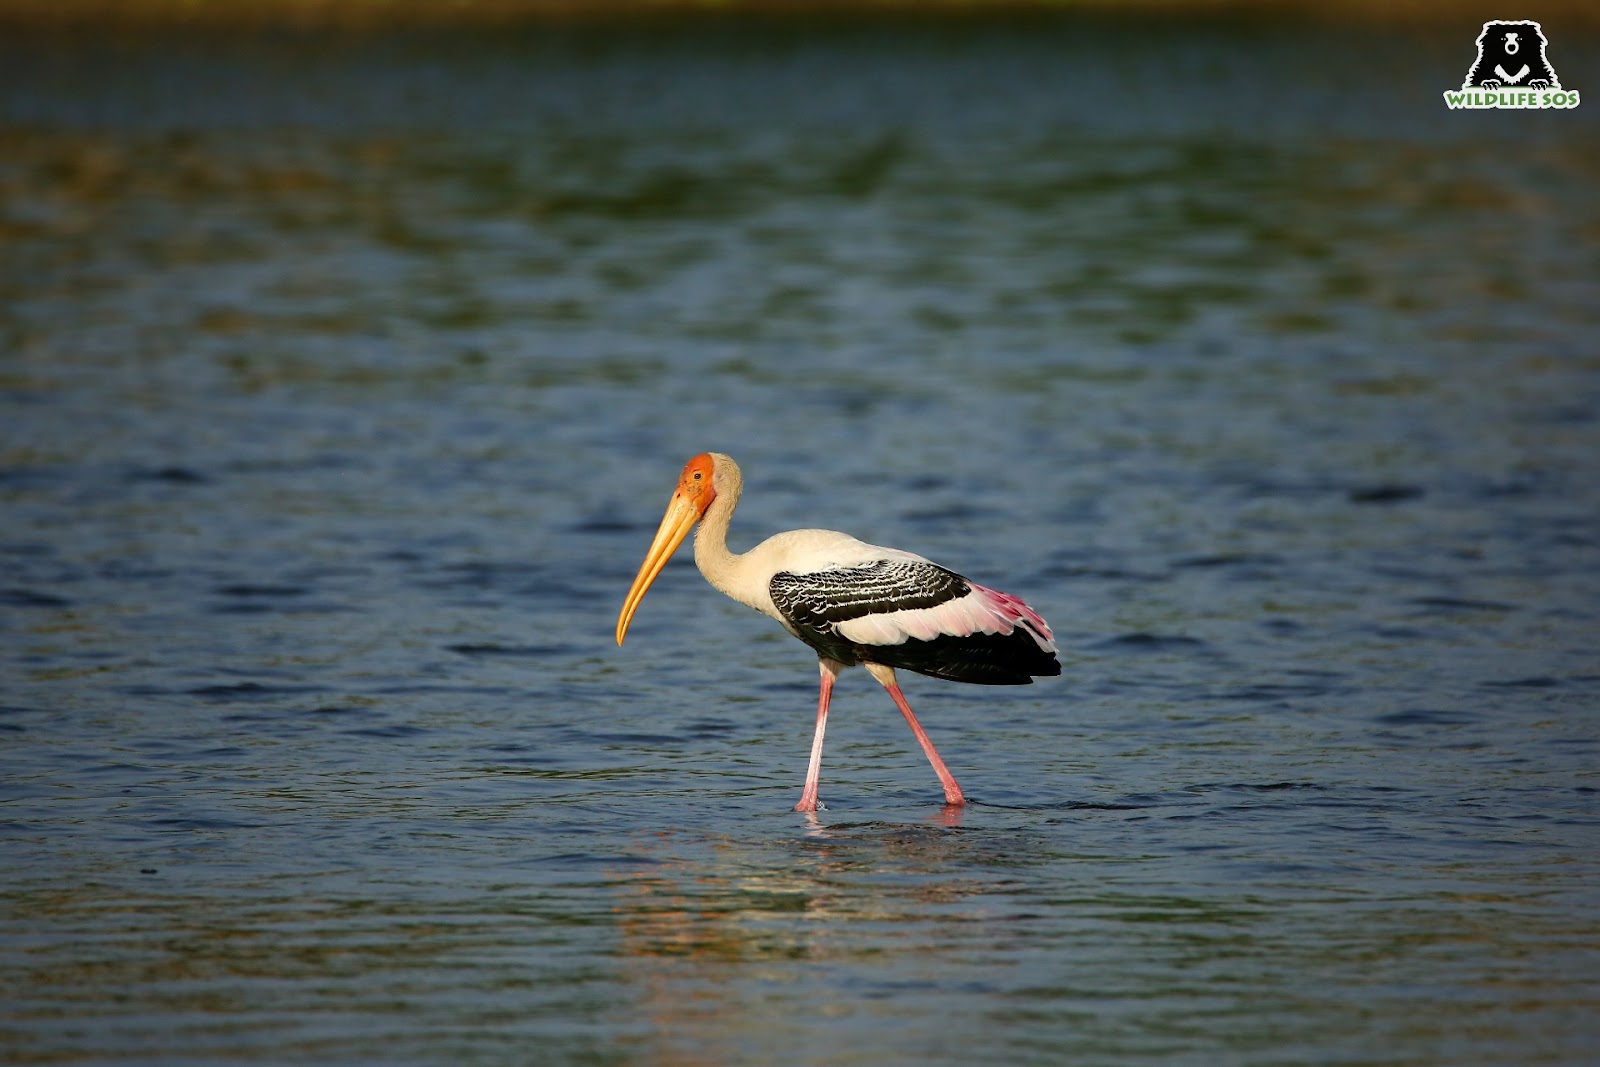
716 937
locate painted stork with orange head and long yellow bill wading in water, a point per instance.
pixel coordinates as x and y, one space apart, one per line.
854 604
